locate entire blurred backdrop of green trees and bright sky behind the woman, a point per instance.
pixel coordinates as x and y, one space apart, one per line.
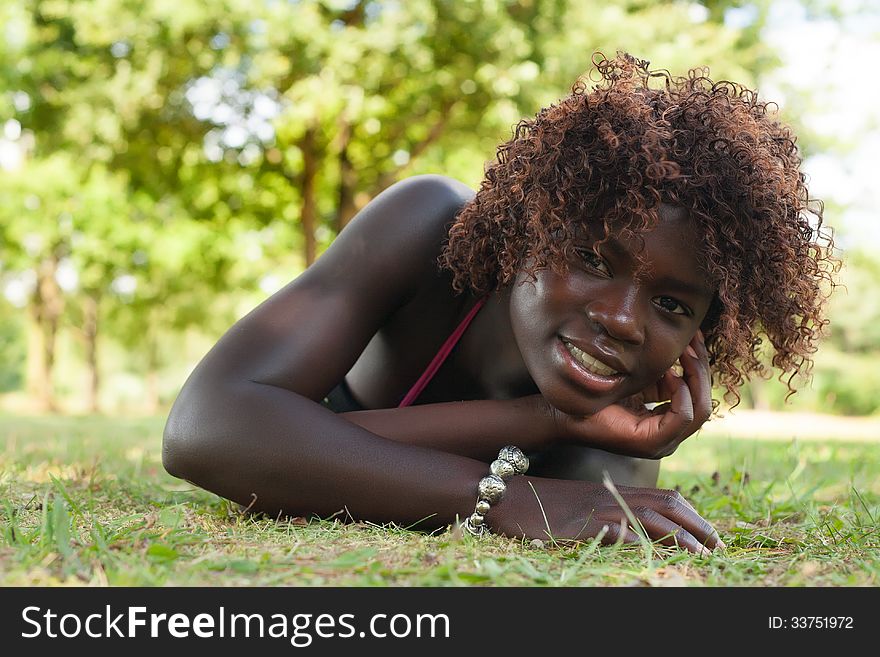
165 165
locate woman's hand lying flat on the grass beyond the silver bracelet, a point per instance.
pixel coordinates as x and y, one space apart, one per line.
565 510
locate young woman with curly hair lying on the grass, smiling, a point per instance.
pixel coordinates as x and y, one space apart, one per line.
623 233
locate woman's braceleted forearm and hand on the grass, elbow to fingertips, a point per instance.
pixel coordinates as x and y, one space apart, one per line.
277 452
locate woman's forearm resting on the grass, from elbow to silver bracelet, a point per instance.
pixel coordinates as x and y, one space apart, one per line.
278 452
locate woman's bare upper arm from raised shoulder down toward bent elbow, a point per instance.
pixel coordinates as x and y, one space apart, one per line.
306 336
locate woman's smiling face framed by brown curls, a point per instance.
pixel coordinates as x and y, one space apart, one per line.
608 329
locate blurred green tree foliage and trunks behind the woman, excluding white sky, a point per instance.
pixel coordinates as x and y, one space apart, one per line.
177 150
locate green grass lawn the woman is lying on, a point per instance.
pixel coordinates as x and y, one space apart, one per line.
85 501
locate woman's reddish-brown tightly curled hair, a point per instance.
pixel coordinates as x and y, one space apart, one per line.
607 157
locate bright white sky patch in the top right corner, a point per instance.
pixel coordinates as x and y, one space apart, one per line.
828 69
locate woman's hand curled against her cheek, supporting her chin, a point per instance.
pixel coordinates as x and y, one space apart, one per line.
629 428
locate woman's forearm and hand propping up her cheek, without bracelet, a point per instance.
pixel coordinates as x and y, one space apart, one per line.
480 428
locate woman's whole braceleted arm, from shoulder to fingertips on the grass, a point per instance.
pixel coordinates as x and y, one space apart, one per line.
247 424
